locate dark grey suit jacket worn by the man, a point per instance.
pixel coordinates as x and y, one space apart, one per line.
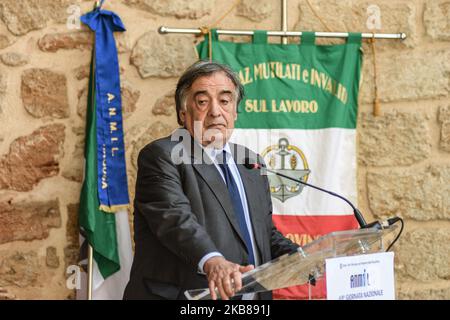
183 212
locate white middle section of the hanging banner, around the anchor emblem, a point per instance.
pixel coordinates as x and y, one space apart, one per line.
331 157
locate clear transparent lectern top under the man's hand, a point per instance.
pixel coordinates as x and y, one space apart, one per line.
307 263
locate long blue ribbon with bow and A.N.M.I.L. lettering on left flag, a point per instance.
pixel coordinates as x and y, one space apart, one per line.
112 175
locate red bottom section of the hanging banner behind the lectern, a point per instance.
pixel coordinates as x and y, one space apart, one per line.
302 230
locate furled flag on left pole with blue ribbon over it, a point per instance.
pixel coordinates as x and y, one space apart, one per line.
103 214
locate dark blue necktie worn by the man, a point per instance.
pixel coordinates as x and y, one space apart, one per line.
237 204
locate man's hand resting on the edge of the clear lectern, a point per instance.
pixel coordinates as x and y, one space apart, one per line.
225 276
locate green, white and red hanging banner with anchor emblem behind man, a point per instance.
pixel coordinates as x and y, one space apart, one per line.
299 112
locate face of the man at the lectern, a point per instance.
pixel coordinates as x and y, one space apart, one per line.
211 109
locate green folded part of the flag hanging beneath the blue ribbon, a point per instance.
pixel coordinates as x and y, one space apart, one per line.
99 226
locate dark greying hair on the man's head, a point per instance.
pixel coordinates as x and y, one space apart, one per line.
199 69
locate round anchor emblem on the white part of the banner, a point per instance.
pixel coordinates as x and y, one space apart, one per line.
285 158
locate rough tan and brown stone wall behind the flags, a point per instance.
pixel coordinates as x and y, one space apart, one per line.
403 157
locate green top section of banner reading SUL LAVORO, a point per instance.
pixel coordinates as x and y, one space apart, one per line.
290 100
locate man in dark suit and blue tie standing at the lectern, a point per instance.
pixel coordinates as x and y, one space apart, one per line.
201 218
